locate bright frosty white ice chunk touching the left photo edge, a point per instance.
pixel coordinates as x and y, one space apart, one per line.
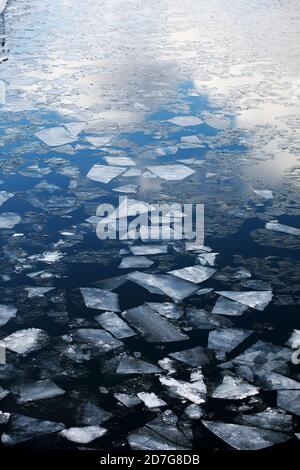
25 341
